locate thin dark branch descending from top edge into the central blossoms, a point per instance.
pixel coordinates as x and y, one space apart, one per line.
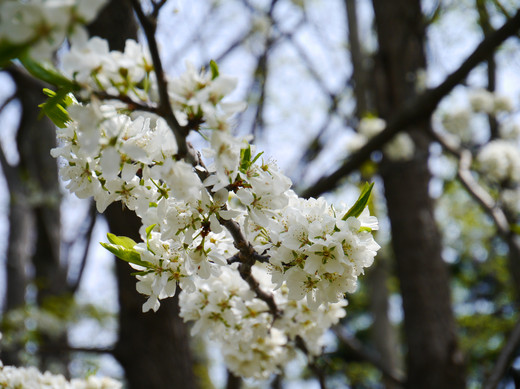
165 110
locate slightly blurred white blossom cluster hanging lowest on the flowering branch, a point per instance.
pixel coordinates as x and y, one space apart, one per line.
254 344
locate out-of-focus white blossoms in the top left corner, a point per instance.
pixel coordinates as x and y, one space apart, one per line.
41 26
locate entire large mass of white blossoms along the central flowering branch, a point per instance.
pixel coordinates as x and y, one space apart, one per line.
117 146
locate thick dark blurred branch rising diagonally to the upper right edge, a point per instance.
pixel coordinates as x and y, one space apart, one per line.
417 110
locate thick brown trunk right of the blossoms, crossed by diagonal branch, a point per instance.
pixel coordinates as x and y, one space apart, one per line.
433 359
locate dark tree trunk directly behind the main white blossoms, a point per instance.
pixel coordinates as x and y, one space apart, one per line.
153 348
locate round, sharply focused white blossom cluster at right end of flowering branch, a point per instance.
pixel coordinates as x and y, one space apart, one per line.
315 250
